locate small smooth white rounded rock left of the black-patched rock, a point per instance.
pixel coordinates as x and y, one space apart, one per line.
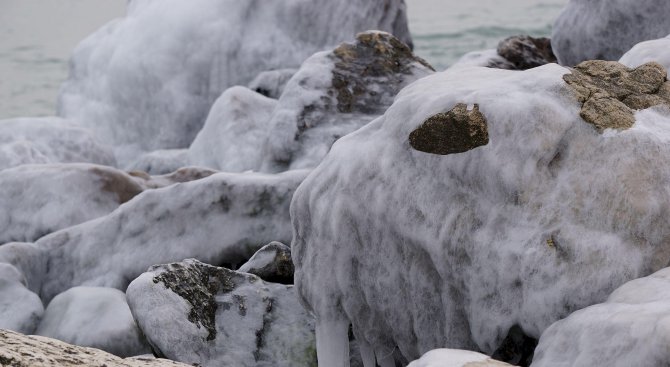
94 317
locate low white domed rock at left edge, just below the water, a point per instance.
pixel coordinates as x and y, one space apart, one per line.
49 140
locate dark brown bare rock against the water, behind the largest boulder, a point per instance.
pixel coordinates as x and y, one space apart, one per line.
526 52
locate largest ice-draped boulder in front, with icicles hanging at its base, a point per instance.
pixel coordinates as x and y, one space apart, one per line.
543 215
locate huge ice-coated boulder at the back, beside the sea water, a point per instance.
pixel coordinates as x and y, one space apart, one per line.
147 81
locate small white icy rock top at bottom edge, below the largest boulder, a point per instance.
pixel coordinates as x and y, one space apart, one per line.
455 358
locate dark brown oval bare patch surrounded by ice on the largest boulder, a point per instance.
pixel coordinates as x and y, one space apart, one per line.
456 131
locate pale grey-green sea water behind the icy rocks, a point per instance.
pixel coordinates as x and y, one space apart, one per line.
37 37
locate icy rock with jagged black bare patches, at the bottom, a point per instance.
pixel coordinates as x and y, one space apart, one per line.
197 313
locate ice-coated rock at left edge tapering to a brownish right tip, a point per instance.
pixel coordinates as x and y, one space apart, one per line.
39 199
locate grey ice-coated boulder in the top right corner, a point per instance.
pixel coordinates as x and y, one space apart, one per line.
606 29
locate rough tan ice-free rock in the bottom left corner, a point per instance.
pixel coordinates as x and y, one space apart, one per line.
17 350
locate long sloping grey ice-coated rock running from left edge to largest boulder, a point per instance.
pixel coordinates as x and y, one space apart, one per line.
223 218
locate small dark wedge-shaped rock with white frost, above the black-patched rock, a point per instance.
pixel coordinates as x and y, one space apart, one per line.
271 263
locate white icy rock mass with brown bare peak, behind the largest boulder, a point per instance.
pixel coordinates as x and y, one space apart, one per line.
332 94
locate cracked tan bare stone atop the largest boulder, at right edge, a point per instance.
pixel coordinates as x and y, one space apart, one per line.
611 92
